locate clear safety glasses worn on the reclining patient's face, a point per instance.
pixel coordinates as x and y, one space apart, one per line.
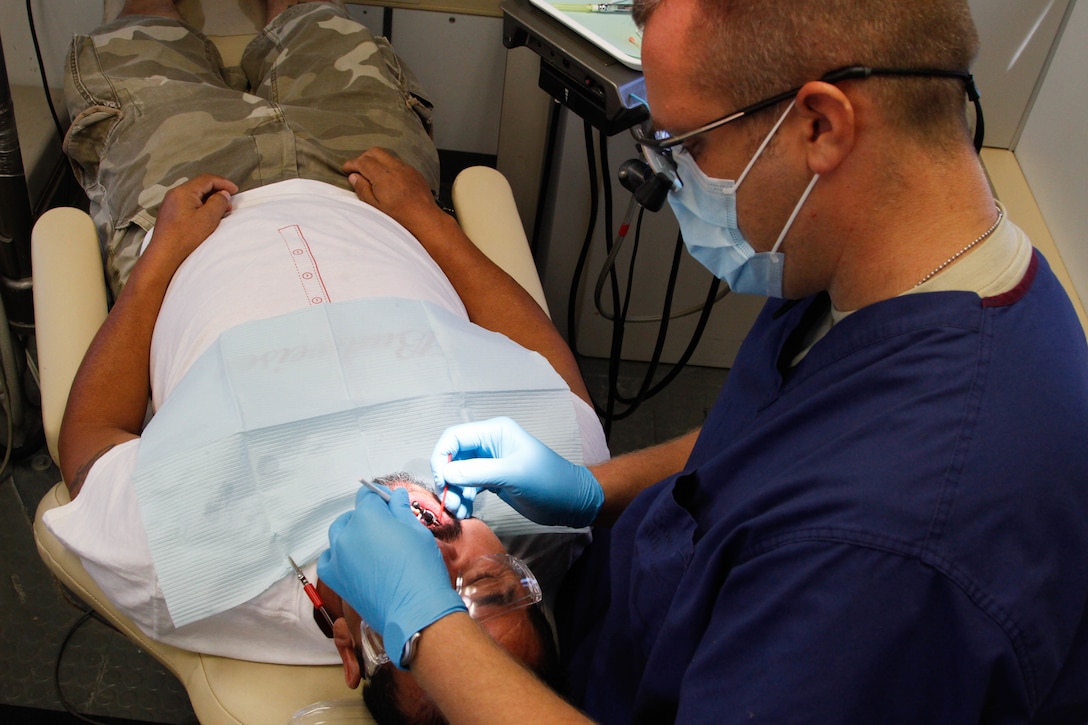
490 587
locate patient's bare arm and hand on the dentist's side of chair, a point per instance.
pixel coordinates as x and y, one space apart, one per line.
492 298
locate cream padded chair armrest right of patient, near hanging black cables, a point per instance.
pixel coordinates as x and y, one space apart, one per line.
489 215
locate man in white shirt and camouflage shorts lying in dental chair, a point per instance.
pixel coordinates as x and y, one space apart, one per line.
261 240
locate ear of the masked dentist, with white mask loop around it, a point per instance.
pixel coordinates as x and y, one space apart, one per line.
831 120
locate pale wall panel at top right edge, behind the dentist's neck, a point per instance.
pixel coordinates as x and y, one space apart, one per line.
1054 149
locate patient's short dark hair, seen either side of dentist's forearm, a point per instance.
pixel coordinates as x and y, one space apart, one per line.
381 698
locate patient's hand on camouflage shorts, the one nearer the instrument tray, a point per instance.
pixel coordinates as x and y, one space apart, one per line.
384 181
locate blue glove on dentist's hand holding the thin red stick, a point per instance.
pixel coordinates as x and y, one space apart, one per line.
499 456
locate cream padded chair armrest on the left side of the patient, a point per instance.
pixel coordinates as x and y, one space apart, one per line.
70 305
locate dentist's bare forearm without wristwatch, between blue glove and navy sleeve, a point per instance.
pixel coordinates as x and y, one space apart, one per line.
625 477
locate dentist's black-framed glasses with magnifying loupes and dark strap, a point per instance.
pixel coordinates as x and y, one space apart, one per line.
658 143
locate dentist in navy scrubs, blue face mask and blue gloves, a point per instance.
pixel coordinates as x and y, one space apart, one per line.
885 518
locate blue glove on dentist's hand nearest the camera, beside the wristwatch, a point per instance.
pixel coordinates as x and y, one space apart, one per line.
388 567
